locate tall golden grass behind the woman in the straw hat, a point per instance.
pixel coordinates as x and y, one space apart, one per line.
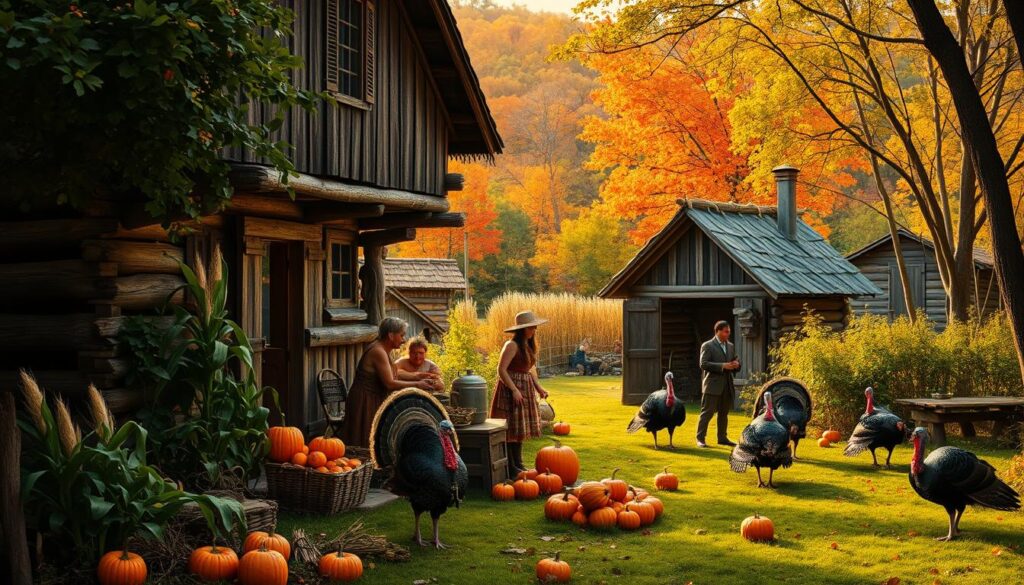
571 319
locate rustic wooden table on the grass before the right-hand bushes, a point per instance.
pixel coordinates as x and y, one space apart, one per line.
965 411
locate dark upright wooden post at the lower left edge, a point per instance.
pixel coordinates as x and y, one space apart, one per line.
15 566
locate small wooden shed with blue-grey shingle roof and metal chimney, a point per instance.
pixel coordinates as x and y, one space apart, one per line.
754 266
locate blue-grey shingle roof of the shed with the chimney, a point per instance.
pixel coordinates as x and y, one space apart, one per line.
749 234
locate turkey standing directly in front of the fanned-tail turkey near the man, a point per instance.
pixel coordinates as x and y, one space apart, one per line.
764 443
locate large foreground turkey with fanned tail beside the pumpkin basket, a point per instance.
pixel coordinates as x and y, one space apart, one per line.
412 436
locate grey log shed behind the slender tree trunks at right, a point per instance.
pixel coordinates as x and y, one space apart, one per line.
878 262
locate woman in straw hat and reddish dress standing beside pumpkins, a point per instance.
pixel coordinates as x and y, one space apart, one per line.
518 390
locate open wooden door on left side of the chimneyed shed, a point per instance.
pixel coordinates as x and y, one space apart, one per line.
642 349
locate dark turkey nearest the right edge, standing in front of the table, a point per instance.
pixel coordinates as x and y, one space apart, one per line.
954 478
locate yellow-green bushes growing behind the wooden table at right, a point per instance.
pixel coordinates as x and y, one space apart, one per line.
900 360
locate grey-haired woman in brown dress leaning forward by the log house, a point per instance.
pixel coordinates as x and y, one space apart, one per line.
374 382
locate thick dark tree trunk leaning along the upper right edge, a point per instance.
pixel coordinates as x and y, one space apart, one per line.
989 163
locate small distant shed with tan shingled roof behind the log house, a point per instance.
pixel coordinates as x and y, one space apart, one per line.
421 291
